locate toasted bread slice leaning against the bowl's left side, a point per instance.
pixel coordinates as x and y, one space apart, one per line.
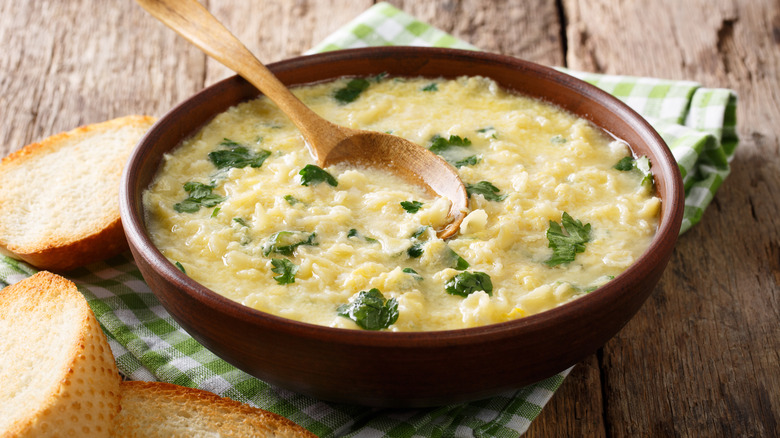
60 197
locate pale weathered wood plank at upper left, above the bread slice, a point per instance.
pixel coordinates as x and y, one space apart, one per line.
67 68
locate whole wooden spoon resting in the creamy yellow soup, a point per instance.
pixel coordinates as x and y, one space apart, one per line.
327 142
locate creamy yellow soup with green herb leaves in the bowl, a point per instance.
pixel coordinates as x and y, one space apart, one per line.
557 208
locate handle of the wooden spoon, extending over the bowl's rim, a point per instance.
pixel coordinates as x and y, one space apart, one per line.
196 24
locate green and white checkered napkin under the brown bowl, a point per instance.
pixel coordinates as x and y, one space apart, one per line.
698 124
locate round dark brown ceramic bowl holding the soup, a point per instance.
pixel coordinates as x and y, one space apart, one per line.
404 369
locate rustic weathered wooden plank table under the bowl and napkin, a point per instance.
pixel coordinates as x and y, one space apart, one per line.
700 358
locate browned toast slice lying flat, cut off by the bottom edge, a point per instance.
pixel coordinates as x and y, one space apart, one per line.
158 409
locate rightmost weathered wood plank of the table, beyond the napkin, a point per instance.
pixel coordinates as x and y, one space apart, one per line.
701 357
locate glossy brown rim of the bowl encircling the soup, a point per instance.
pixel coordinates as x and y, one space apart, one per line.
664 239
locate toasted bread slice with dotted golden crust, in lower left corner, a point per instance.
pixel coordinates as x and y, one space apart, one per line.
57 374
